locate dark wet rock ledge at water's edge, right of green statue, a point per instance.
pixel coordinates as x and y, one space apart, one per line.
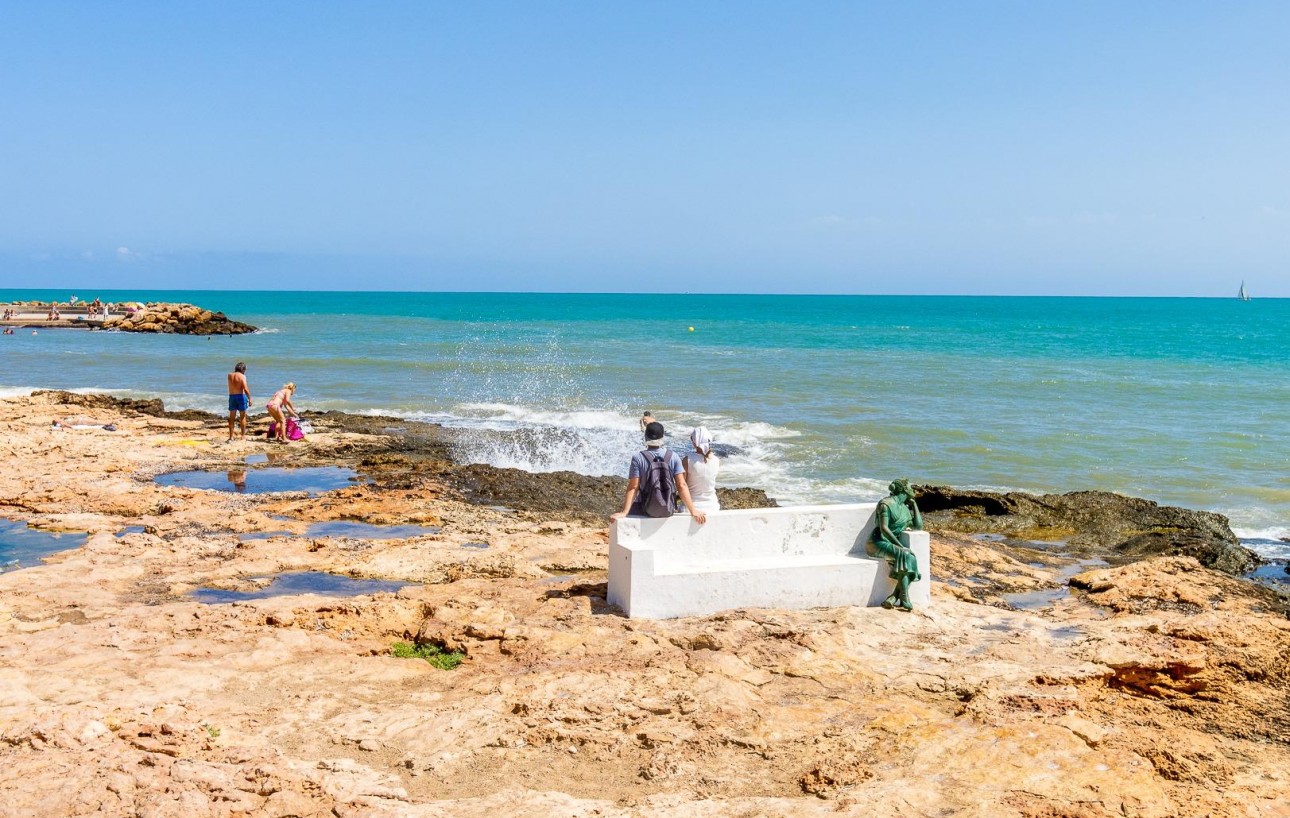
1102 523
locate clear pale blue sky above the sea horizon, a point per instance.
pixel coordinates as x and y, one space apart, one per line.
852 148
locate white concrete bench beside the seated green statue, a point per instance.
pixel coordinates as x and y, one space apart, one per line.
804 557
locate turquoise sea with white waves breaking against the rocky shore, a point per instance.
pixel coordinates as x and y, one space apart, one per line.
822 398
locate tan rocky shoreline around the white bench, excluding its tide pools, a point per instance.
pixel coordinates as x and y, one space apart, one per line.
1138 686
